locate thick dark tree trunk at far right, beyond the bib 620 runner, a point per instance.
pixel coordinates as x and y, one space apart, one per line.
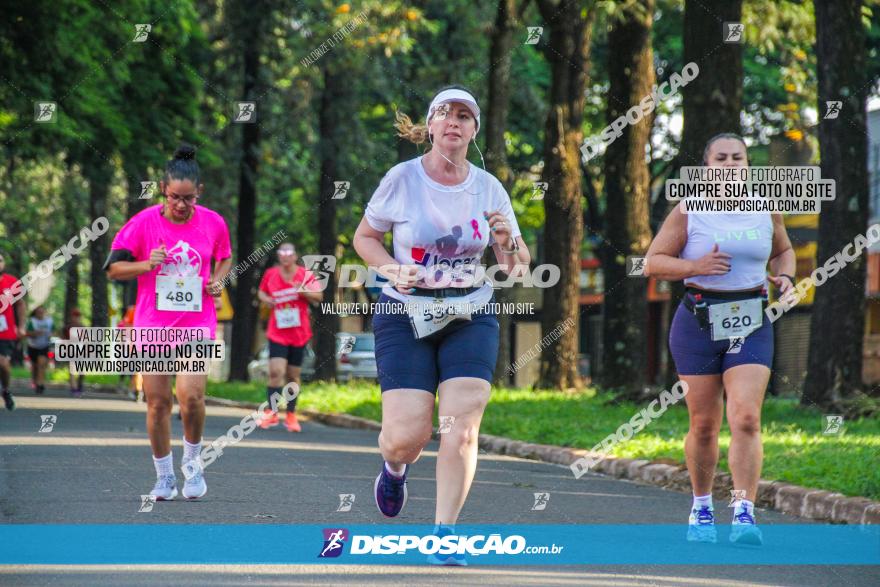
834 364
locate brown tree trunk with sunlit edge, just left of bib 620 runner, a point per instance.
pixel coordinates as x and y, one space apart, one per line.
627 184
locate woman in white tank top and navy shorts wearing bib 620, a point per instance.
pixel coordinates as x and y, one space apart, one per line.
722 259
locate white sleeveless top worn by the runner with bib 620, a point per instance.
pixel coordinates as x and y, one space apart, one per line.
748 238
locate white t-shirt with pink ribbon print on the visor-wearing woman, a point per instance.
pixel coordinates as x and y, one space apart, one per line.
439 227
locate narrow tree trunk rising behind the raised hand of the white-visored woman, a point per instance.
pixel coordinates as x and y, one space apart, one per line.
496 151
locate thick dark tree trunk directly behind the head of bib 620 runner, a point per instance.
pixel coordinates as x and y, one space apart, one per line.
712 101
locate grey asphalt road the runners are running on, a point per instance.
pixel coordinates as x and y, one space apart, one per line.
95 464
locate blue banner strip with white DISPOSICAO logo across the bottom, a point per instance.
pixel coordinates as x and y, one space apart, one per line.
96 544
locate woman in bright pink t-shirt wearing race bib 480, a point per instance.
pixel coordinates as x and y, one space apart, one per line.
180 254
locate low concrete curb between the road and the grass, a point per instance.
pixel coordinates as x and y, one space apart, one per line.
814 504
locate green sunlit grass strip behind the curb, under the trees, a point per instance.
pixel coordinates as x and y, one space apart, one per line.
795 450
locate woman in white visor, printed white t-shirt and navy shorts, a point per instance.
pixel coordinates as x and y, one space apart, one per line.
442 212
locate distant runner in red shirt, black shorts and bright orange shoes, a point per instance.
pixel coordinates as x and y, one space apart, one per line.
287 288
